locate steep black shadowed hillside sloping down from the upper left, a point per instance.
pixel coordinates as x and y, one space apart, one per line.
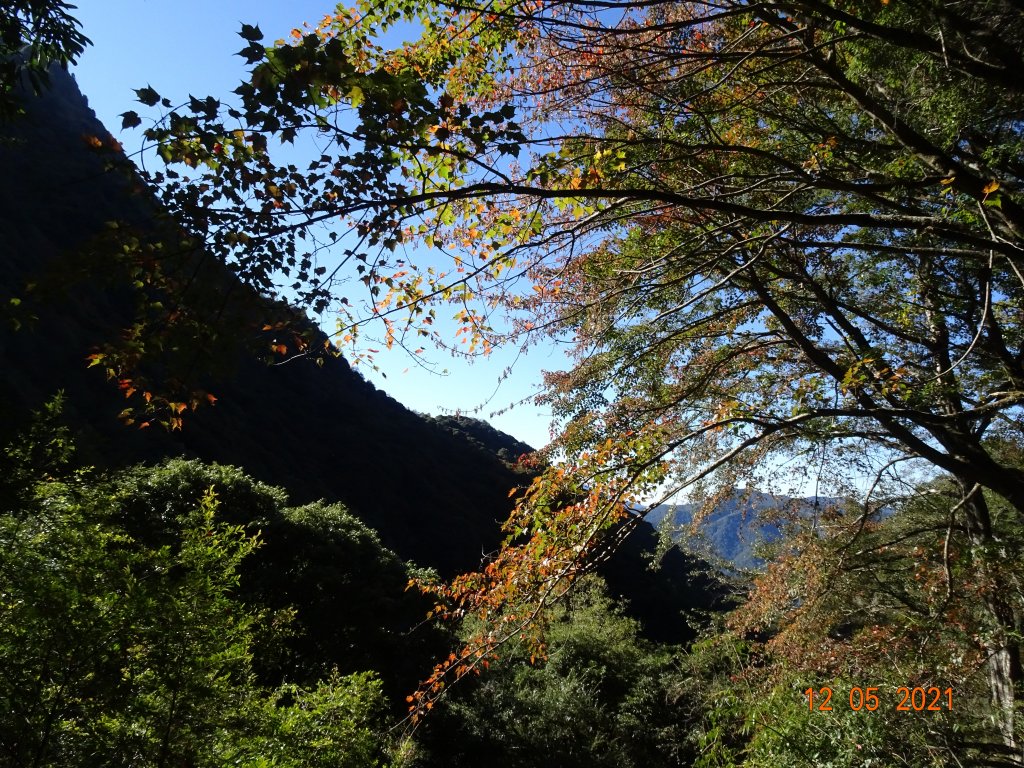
436 490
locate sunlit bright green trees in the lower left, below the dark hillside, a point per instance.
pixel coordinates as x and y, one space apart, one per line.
123 635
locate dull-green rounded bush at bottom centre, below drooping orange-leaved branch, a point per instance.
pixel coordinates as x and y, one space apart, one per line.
599 699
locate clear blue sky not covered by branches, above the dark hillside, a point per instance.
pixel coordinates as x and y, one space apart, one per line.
184 48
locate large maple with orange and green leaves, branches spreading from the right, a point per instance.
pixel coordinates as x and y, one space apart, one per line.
769 232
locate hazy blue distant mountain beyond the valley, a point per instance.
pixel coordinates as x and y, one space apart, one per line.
735 529
